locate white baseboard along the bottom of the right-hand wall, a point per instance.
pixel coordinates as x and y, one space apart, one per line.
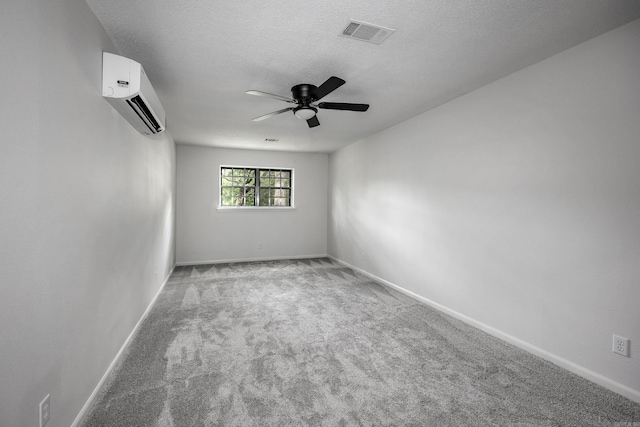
599 379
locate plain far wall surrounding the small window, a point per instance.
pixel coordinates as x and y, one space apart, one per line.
207 234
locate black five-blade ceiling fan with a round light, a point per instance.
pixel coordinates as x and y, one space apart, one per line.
305 96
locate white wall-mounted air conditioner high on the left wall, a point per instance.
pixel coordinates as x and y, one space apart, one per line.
126 86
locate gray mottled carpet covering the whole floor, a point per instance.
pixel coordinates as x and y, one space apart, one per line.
310 342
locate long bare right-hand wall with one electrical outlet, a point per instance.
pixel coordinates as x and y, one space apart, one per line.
516 206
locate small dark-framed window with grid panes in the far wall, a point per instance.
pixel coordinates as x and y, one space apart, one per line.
256 187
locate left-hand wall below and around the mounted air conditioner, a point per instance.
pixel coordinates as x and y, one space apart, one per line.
87 214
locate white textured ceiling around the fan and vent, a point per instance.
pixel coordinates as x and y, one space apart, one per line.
202 55
